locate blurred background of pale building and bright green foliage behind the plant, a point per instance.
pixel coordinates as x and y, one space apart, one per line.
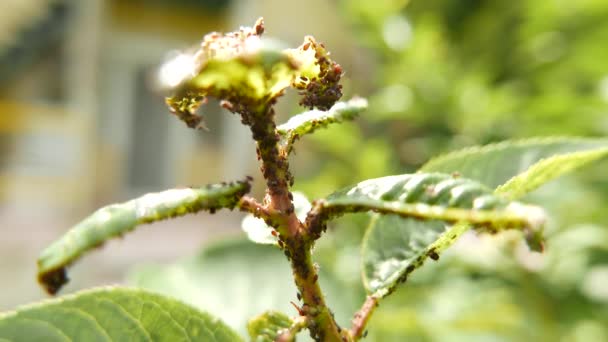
83 125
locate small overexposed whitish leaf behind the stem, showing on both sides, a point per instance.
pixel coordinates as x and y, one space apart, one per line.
258 231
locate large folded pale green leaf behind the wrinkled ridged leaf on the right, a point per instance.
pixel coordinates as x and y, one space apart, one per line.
389 255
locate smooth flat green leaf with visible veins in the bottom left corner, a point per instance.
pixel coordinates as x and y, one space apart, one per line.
112 314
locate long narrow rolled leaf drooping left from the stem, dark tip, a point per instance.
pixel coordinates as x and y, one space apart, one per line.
118 219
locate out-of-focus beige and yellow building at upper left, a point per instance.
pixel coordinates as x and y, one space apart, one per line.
80 119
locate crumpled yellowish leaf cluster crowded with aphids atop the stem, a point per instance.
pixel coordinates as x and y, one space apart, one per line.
247 72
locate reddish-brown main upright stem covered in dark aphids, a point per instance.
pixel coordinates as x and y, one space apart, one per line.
293 237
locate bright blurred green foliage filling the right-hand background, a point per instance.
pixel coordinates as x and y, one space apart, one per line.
448 74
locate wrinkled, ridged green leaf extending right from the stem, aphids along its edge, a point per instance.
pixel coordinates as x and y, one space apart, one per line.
433 196
